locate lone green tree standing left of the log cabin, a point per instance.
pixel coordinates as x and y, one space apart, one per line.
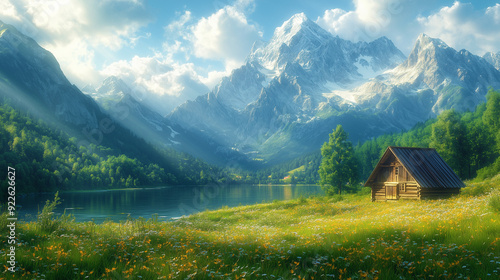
338 166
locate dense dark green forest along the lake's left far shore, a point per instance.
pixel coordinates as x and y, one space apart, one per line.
47 159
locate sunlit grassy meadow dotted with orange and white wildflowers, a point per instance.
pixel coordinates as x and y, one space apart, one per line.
311 238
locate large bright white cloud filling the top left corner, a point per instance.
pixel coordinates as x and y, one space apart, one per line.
74 30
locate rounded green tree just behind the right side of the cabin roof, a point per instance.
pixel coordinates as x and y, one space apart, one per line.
449 138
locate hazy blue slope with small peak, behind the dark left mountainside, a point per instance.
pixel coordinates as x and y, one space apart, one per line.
125 106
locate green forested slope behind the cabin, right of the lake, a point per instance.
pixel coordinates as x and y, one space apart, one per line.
469 142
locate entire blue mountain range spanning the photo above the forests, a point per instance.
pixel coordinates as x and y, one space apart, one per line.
283 102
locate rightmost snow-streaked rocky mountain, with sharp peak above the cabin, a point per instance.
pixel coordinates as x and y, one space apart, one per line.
435 77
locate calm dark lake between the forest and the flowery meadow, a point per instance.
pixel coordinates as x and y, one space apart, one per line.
167 202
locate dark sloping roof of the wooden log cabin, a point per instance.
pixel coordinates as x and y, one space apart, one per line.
425 165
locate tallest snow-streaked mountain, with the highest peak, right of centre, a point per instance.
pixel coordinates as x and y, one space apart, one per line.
293 81
